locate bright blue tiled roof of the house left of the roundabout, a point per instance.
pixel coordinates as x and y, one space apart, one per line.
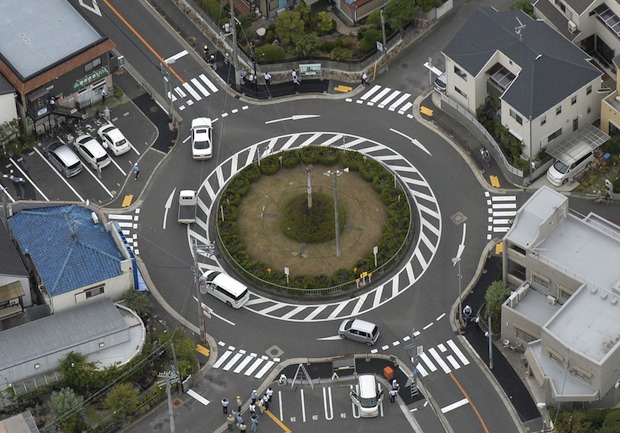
67 248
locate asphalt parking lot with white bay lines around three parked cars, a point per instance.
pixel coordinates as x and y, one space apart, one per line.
43 182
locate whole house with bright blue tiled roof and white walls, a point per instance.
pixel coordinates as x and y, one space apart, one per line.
74 257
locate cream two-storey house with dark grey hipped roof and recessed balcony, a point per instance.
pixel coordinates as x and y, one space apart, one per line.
547 87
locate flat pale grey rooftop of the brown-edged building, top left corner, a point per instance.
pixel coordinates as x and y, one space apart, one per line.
36 35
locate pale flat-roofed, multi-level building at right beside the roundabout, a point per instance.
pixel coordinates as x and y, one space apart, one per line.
564 308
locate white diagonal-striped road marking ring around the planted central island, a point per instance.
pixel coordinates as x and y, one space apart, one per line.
426 213
